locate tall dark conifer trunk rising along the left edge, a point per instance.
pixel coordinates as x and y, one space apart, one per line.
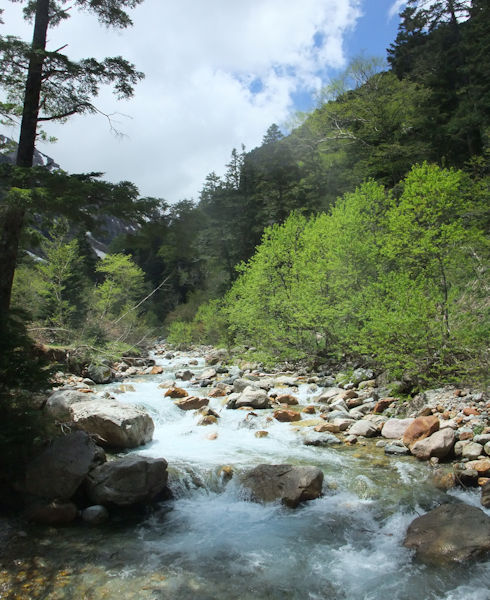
13 216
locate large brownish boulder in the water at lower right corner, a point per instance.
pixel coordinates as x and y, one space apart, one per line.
450 533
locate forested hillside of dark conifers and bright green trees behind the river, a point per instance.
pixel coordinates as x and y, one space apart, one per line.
359 233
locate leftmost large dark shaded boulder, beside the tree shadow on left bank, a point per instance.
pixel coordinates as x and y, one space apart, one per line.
58 472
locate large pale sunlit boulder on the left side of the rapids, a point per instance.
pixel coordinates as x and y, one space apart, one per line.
117 425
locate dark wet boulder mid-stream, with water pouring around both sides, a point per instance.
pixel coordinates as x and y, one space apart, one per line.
288 483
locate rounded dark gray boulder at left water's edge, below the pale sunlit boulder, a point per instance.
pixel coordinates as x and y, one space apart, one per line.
129 480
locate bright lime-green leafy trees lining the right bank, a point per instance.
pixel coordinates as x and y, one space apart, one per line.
397 281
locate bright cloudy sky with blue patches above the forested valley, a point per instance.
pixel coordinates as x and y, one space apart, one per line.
218 73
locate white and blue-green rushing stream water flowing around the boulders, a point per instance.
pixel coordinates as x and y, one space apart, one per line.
211 543
